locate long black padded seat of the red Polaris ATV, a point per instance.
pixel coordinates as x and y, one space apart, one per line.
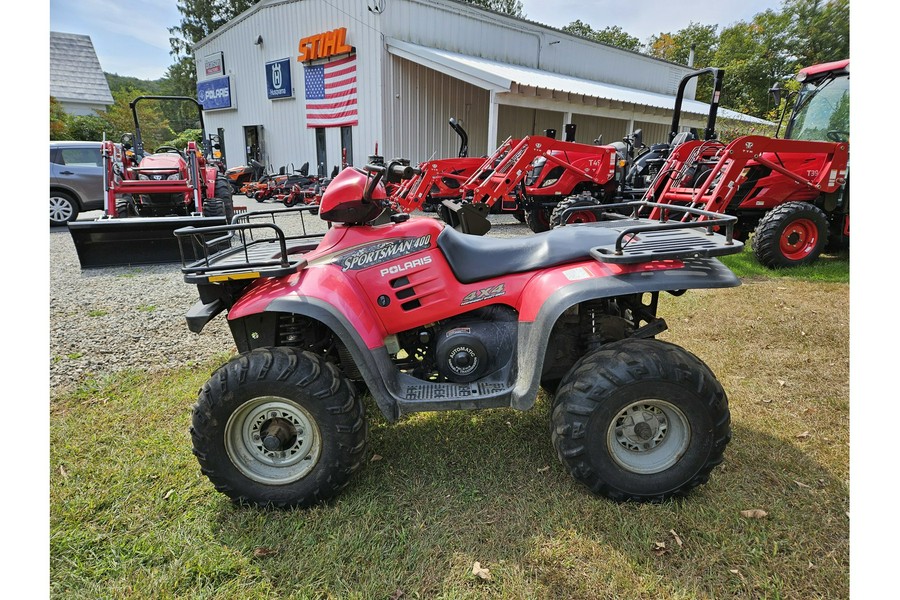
474 258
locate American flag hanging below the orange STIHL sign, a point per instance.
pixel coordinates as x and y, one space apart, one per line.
331 93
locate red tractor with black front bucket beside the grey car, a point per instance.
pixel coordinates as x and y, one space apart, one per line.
148 195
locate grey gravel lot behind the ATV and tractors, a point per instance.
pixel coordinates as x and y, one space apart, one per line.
103 320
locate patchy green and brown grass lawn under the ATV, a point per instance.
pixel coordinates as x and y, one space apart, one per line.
132 517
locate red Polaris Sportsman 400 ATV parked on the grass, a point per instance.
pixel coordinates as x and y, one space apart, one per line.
427 318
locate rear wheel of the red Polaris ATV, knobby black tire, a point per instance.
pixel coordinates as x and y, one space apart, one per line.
640 420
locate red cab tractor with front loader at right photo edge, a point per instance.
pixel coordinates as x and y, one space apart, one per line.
792 191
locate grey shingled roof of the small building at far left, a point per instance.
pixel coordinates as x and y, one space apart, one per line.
75 73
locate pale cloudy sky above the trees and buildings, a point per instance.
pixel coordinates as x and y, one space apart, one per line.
132 38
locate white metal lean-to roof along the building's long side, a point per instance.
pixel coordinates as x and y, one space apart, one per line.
501 77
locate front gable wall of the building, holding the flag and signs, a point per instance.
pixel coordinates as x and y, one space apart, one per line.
285 137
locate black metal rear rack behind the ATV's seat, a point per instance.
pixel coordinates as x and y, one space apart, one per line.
660 238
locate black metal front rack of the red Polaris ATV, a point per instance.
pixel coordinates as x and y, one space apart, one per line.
252 248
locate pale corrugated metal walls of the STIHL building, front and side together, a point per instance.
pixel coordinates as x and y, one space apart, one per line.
403 106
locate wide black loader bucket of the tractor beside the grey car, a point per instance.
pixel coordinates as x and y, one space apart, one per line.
132 241
